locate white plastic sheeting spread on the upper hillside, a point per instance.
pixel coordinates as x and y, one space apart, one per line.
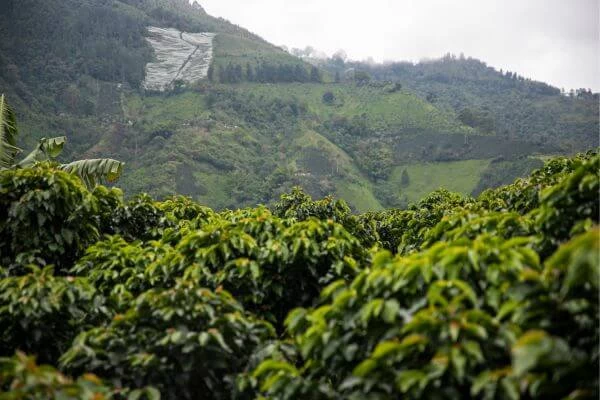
179 56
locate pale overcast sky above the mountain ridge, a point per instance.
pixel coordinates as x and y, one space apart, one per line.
556 41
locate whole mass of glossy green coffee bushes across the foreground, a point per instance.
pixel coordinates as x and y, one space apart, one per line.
494 297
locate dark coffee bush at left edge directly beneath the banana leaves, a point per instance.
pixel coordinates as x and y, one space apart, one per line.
47 212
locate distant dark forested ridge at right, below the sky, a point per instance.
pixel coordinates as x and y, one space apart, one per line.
492 100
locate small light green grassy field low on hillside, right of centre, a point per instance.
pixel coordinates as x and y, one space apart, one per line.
457 176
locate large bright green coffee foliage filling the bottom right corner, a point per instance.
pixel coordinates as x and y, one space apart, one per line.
455 321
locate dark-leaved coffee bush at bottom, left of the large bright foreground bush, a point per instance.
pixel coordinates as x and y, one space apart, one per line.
186 341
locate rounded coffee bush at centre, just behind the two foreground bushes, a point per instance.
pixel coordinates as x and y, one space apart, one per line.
270 264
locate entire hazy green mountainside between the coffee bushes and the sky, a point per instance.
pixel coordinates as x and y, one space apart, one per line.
221 115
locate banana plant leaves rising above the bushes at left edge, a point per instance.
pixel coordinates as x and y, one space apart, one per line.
91 171
